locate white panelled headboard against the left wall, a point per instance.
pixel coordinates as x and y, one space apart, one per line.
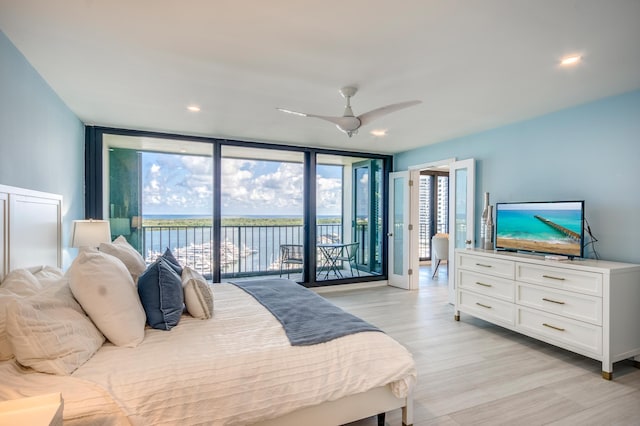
30 229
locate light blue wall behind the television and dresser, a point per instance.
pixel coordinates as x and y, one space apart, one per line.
590 152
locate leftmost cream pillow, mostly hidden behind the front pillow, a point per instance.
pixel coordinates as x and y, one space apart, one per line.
18 283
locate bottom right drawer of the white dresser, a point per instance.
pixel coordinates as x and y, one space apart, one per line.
570 334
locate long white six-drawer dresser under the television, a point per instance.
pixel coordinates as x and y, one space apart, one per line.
586 306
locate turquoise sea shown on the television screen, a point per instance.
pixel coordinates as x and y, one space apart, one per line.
521 224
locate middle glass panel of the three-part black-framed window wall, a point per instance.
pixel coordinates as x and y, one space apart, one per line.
262 207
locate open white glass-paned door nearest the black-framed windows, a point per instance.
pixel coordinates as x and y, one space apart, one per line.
403 272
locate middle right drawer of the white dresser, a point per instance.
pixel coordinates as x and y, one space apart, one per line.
573 305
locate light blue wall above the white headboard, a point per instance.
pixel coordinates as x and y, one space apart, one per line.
41 140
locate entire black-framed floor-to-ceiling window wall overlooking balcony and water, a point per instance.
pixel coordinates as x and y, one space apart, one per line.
237 210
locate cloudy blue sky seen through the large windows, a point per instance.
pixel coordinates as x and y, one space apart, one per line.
182 184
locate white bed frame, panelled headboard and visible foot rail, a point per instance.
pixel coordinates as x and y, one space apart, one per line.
31 235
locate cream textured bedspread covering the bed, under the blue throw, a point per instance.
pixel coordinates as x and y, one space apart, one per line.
219 372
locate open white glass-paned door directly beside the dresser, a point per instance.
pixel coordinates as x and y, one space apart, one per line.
461 213
